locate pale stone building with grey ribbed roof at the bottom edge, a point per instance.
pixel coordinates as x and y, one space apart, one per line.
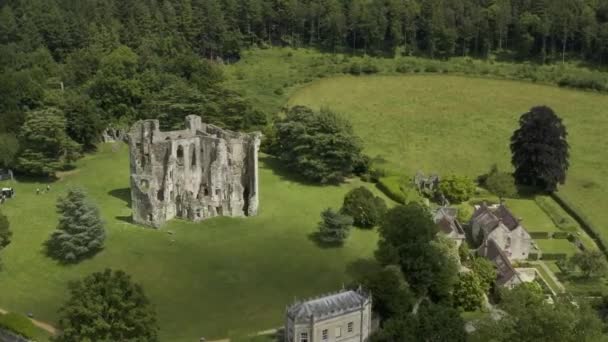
345 316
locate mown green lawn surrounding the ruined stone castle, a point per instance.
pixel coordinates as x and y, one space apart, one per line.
221 277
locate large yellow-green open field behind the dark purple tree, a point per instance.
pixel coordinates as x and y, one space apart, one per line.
462 125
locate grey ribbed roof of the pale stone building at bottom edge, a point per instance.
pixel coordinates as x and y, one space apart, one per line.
329 306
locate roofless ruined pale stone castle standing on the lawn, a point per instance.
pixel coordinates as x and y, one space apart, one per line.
194 174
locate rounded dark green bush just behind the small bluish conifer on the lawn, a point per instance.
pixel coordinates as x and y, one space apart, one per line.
366 209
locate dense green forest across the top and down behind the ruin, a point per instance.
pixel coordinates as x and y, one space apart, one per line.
84 65
